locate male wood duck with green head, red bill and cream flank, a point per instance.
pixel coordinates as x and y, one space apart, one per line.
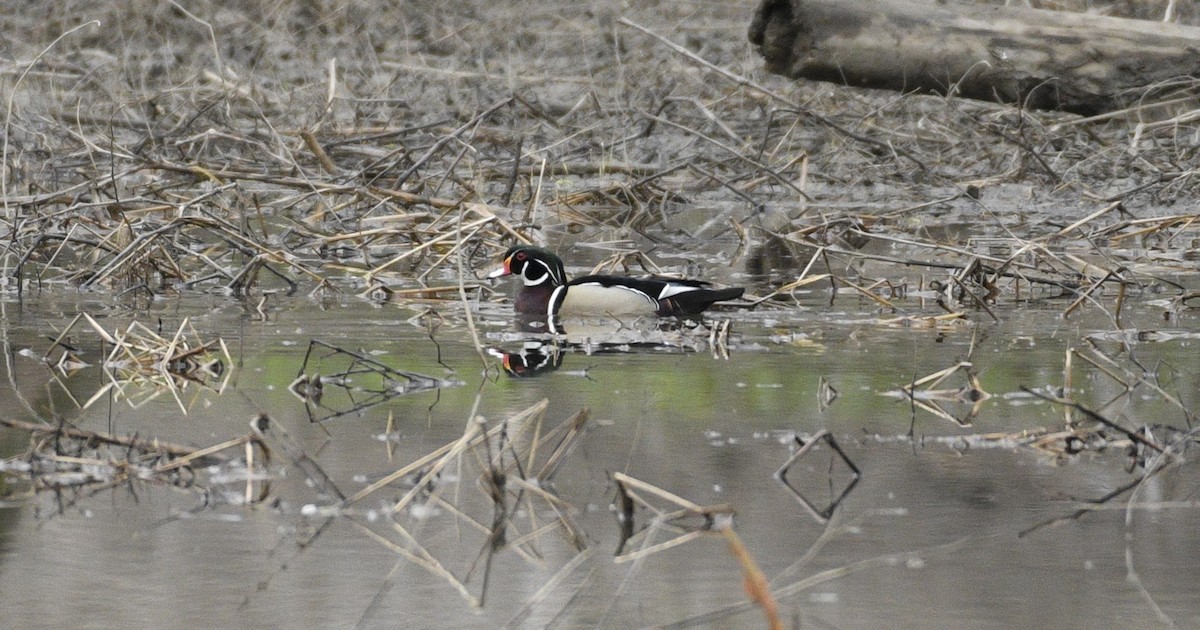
548 293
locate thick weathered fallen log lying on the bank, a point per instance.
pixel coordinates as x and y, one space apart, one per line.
1040 59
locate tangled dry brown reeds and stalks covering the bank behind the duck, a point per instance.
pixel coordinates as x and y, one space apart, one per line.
350 147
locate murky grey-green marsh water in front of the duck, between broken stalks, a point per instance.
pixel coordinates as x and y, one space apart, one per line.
935 535
